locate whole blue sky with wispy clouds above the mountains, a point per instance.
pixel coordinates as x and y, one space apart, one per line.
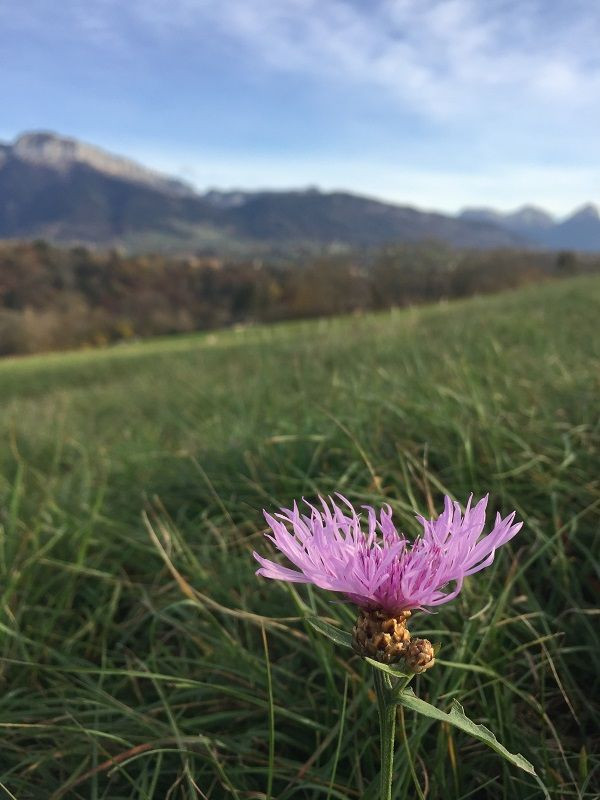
440 103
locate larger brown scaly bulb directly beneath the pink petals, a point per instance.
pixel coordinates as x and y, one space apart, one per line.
380 635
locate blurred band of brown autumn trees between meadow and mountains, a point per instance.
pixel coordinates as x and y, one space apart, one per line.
59 298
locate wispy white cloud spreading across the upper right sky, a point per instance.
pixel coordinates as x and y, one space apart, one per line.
442 58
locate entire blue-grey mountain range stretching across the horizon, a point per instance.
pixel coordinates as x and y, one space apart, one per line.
67 191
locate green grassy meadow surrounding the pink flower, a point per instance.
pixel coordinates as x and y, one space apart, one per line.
134 634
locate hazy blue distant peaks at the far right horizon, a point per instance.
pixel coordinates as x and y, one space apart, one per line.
580 231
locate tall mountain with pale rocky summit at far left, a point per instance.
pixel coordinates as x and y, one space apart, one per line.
68 192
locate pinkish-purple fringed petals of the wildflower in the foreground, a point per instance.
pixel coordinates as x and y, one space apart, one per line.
374 565
